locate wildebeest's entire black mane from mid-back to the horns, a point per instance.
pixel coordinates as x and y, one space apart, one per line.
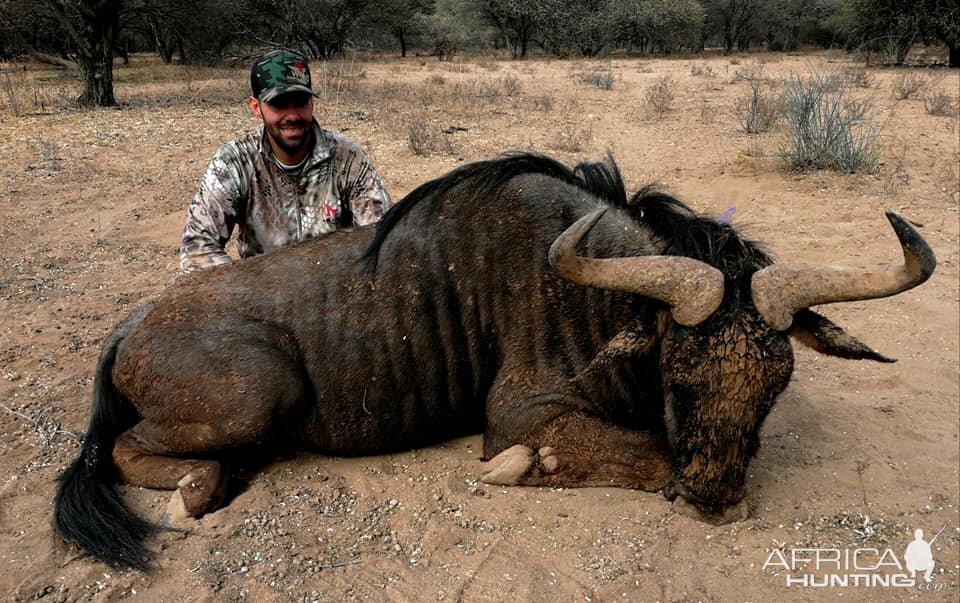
684 232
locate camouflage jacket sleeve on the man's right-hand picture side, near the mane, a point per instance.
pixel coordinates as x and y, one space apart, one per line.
360 184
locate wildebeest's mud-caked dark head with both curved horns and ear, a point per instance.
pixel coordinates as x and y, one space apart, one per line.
725 352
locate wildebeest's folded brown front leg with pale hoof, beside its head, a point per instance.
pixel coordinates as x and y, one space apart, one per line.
579 450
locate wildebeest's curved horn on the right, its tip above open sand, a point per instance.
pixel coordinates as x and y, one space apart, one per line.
780 291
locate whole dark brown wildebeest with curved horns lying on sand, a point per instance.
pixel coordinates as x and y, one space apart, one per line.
593 339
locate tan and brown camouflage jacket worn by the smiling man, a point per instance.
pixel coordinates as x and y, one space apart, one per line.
243 186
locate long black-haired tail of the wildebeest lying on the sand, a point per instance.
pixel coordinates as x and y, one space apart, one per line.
87 510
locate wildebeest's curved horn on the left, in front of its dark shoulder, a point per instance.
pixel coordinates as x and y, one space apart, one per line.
691 288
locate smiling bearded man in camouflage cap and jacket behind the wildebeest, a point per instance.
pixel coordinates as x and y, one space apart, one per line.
288 182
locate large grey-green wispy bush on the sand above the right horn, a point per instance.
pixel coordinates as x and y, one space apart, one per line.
827 130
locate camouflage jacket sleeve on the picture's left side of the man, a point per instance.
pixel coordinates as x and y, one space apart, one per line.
212 213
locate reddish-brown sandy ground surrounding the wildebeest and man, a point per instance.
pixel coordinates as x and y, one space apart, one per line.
855 455
